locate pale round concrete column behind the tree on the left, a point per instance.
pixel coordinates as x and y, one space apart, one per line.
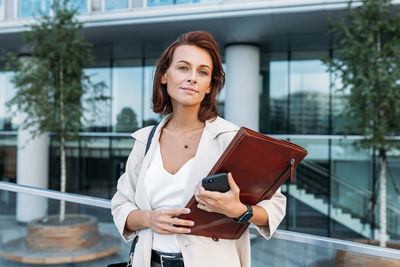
32 170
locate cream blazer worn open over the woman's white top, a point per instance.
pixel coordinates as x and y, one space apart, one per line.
197 251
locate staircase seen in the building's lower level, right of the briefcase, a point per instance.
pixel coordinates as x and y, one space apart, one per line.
312 187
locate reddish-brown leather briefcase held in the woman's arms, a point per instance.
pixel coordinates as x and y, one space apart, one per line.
259 165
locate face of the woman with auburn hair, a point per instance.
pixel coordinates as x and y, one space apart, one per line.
188 78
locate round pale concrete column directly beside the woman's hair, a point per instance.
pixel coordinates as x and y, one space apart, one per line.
242 85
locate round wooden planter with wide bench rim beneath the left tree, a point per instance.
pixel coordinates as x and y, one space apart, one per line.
50 242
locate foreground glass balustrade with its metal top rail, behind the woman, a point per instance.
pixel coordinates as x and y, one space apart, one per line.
23 208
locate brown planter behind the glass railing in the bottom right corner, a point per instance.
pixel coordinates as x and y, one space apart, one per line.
345 258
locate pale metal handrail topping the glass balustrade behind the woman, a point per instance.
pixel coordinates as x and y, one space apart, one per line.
279 234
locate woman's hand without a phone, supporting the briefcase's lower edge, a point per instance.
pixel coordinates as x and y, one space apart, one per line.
165 221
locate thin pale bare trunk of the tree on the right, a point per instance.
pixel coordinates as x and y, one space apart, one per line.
382 158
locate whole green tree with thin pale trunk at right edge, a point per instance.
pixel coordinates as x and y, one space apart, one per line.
368 64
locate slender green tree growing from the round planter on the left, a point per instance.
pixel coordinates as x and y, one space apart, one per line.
51 85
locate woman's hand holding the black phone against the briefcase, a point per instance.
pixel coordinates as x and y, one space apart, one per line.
227 203
